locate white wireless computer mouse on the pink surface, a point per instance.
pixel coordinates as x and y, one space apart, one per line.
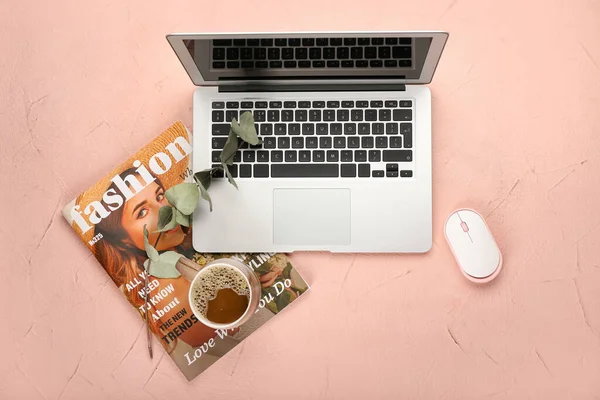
473 245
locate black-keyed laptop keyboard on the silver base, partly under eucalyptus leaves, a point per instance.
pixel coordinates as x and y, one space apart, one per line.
320 139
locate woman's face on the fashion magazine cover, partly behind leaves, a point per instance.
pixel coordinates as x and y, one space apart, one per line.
142 210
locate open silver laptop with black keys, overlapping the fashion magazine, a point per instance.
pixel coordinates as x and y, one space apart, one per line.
345 123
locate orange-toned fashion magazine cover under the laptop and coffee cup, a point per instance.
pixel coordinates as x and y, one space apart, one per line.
110 217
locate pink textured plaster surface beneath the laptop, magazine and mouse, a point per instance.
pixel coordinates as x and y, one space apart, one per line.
516 136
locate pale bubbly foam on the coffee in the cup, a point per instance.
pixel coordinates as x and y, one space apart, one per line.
214 279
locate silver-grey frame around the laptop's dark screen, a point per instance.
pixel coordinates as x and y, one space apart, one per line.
438 41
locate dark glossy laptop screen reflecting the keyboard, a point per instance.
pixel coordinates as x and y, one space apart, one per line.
295 57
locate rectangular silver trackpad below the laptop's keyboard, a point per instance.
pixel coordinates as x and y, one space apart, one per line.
311 216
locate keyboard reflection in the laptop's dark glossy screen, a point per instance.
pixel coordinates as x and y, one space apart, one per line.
360 52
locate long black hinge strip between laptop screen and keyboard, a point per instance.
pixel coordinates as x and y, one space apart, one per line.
346 87
